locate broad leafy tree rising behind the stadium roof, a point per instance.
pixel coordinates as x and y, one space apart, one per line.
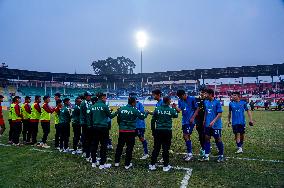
120 65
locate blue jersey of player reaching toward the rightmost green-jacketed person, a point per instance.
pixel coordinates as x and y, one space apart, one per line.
188 108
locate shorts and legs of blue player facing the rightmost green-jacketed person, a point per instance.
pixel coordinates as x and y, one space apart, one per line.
187 131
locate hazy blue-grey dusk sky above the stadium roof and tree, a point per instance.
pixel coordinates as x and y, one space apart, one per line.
67 35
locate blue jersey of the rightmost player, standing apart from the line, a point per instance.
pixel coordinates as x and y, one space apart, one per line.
238 112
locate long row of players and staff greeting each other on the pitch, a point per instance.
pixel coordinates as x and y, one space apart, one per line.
91 122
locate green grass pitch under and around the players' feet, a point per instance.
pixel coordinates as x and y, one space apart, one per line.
23 167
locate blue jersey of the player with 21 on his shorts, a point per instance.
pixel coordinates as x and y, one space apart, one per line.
212 108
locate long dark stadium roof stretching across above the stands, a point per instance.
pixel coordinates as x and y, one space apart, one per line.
214 73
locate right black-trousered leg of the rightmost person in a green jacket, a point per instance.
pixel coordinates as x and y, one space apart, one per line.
166 144
